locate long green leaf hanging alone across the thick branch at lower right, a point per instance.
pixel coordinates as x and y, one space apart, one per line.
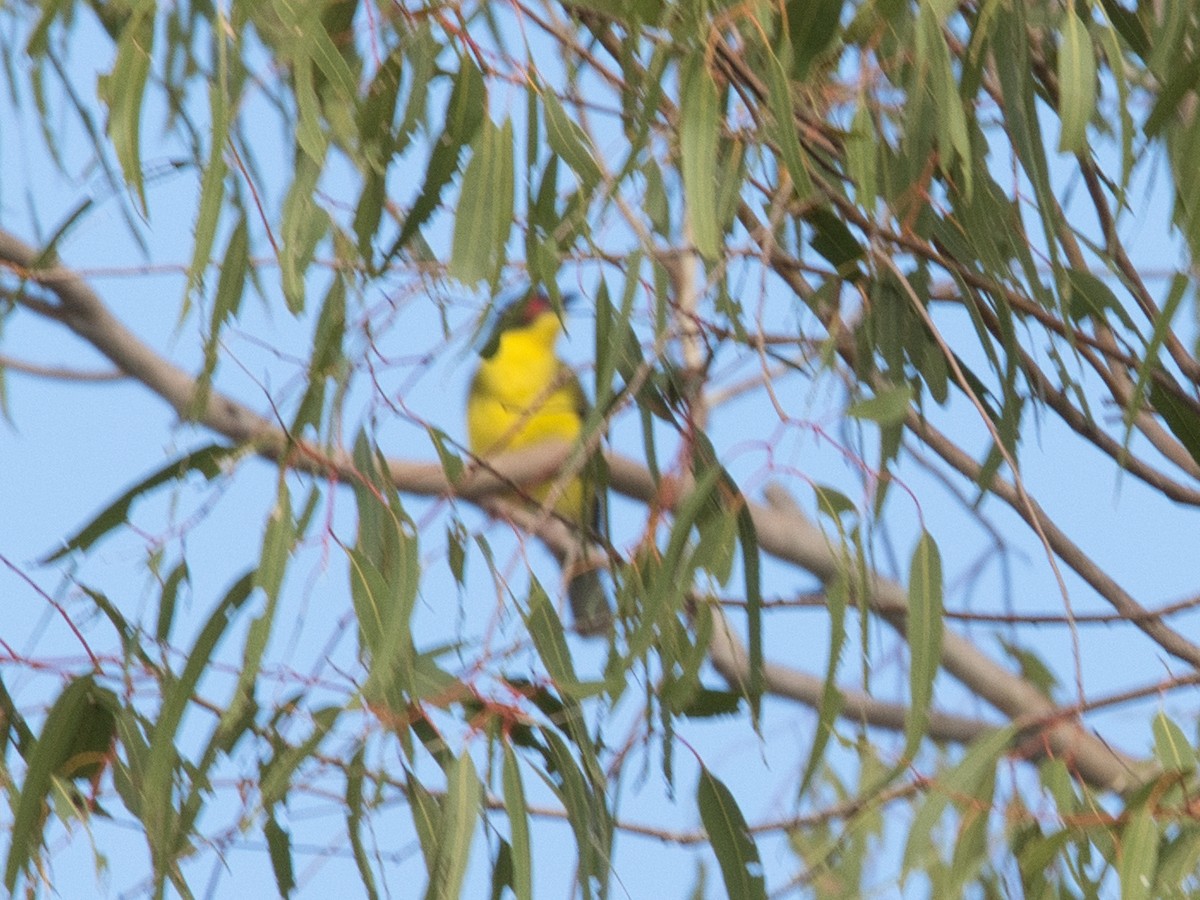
925 637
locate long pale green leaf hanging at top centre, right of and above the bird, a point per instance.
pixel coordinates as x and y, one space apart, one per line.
699 124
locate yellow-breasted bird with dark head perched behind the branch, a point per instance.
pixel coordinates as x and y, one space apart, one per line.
523 395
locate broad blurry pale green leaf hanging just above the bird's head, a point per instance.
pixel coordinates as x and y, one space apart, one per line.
485 207
